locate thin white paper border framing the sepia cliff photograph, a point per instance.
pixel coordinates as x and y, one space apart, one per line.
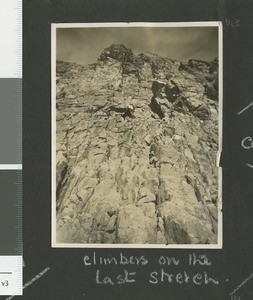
54 26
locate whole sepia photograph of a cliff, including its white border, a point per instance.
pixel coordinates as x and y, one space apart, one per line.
136 135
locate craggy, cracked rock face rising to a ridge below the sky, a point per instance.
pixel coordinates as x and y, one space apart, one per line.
148 178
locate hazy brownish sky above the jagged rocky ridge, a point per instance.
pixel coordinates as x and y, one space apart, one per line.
84 45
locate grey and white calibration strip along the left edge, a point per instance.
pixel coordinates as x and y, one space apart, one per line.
11 246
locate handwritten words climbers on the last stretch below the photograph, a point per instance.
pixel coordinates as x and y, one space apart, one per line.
162 273
